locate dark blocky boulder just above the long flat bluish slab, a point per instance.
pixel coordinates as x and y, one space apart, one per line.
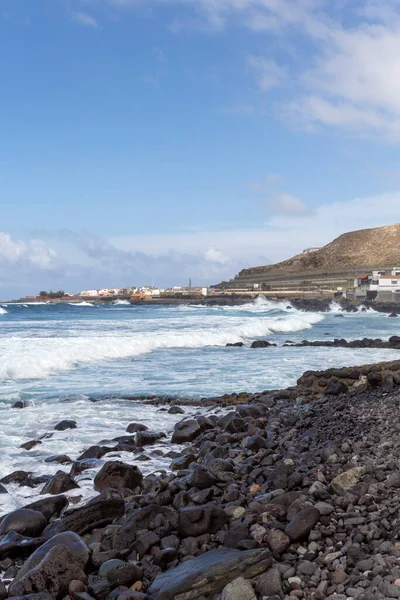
196 520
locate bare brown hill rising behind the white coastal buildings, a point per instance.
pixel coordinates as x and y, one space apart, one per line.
364 248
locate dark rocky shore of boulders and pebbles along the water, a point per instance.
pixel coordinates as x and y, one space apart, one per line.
291 494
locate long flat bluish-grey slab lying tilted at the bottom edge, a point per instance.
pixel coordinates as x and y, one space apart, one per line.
209 573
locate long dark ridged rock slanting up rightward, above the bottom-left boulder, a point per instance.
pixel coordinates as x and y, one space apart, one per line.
99 512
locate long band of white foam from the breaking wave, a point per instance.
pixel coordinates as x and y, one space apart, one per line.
32 357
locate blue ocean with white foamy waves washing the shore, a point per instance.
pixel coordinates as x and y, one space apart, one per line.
93 363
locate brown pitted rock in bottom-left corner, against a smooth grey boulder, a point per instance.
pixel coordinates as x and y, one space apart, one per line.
53 574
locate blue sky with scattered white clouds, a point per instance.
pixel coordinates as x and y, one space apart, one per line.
153 141
